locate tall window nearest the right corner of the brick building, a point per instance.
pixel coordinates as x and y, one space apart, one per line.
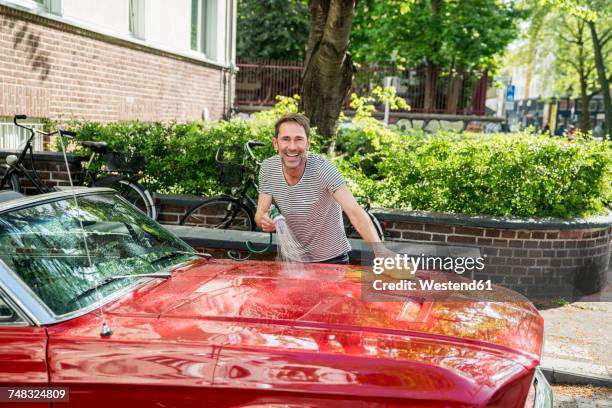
204 19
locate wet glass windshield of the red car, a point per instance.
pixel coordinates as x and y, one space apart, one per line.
47 248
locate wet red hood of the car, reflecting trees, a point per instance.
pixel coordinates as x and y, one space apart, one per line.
329 297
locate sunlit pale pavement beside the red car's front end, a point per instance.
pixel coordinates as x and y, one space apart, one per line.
577 338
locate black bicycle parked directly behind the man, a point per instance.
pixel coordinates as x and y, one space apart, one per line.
236 211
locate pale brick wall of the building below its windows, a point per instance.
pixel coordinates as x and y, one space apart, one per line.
53 70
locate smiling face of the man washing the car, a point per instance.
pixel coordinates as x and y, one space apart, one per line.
291 144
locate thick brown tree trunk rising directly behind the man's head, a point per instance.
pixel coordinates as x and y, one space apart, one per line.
328 69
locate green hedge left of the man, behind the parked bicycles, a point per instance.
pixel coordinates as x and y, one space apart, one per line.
180 157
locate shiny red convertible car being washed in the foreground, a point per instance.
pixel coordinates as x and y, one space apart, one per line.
100 300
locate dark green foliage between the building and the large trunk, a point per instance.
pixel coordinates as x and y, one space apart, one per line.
272 29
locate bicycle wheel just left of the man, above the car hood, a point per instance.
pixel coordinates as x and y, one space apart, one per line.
220 213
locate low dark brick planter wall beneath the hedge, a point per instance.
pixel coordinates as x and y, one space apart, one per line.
539 258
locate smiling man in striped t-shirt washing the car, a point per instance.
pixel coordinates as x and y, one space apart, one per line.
311 194
